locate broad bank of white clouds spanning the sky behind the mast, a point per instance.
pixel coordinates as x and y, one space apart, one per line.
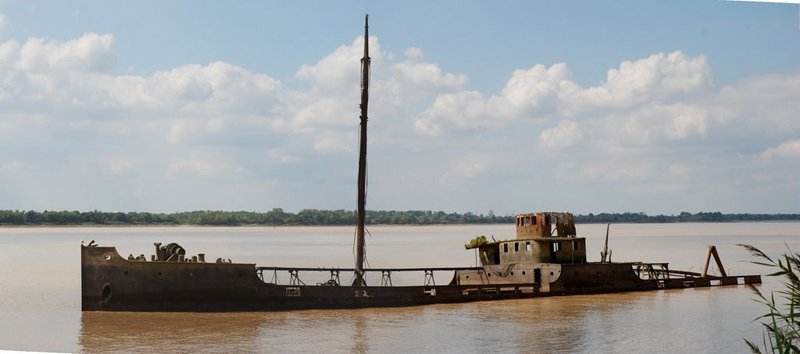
650 128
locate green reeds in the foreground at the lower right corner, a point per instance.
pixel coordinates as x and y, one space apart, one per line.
782 322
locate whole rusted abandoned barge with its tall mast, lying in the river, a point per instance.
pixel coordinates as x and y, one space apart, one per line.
546 258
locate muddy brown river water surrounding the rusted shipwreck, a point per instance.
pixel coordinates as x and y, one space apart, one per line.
40 294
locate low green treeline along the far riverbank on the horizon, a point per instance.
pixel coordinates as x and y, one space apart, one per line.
340 217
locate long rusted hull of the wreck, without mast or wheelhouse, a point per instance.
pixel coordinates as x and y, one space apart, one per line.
111 283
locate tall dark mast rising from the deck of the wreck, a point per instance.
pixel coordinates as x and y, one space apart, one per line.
362 162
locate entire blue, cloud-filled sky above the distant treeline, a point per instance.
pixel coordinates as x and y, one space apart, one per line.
509 107
